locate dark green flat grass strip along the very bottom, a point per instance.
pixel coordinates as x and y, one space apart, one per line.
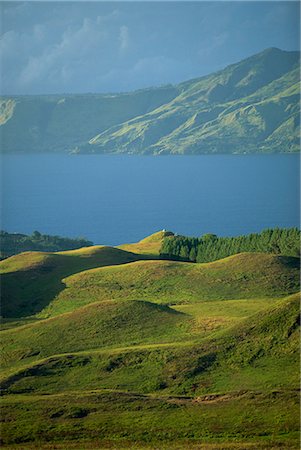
126 419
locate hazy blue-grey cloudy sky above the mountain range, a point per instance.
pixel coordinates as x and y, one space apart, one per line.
80 47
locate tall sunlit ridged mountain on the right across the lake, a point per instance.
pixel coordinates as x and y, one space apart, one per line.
251 106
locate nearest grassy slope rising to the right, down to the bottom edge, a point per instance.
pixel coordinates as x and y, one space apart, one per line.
235 391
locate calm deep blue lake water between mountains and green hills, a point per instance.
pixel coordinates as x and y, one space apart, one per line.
117 199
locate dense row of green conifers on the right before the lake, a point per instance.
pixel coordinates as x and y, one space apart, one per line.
209 247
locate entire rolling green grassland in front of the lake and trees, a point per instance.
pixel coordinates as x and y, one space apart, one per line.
116 347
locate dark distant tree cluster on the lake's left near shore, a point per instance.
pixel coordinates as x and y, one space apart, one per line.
13 243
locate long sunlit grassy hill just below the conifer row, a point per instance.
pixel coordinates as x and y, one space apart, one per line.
246 275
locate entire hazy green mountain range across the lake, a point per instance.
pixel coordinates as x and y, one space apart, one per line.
248 107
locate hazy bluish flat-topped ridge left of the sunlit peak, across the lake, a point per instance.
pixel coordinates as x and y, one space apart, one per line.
56 123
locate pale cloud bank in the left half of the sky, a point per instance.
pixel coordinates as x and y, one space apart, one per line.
61 53
